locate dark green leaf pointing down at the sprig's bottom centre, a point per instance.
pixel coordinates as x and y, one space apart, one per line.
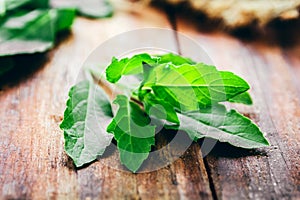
133 133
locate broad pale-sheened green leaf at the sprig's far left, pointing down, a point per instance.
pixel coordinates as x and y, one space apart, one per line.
87 114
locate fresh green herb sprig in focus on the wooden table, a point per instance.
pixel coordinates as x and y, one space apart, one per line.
175 90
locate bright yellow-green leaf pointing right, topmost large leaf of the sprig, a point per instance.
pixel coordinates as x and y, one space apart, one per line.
190 87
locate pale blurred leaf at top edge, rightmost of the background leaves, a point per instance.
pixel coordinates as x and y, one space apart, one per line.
88 8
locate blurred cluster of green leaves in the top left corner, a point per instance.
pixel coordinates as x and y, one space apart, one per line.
31 26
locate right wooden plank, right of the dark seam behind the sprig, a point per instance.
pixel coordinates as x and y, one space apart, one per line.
267 173
